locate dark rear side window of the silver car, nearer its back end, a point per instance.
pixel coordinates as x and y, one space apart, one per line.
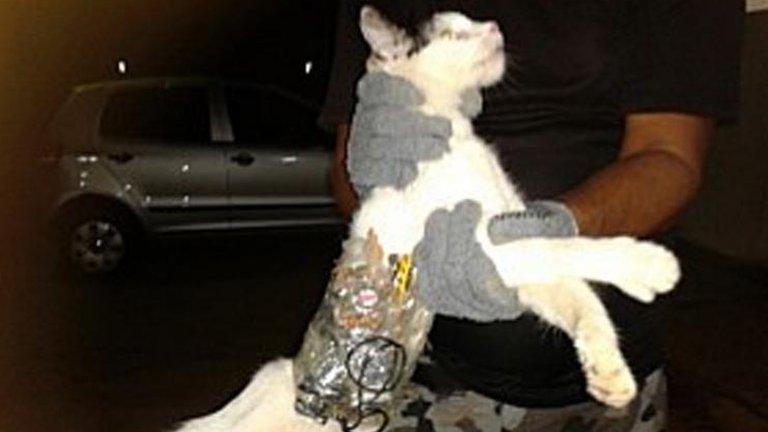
164 114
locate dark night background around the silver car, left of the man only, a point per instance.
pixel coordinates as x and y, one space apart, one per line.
81 355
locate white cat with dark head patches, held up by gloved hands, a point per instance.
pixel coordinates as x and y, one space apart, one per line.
550 274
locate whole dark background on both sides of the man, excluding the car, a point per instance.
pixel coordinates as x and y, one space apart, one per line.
182 333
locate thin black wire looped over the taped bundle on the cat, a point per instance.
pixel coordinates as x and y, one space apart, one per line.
377 343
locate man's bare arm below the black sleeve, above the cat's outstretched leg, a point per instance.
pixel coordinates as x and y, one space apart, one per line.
656 176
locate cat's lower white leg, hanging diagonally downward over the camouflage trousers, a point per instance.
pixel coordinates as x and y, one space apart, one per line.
571 305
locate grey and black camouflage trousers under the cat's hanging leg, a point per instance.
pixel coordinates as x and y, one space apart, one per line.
466 411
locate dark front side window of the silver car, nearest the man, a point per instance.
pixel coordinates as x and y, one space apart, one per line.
263 118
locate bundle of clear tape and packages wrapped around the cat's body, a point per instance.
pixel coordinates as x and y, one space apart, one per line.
361 347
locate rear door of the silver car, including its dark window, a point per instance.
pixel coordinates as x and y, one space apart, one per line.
157 141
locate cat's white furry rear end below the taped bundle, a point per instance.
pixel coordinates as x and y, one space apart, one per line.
265 405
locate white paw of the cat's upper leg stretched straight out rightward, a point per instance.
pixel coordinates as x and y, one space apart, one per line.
642 269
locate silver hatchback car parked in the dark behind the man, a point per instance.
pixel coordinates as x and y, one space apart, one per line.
156 156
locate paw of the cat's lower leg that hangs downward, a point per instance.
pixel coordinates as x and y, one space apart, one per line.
609 379
